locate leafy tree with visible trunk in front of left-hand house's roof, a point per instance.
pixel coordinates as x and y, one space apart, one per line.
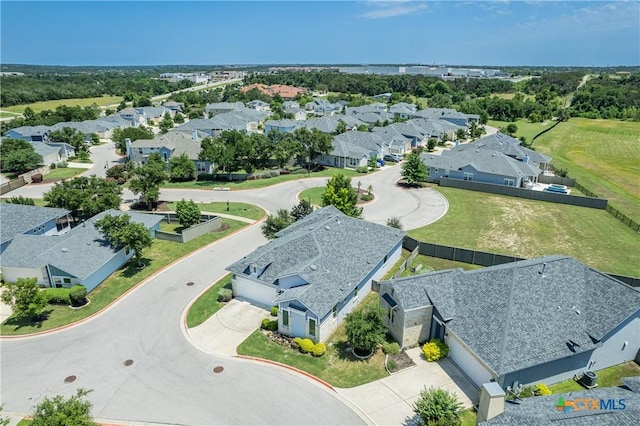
123 233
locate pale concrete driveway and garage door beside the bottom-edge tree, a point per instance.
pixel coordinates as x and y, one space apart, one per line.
389 401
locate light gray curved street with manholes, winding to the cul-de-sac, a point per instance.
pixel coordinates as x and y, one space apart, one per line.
170 381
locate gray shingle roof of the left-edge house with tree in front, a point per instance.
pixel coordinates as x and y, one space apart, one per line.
79 252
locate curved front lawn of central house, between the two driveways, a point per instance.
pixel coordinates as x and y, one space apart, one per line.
336 366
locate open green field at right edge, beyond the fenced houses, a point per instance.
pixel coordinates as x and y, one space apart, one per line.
603 155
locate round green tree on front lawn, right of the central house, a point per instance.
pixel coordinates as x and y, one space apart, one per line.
365 329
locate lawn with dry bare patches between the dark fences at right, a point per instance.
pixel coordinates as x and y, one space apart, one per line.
528 228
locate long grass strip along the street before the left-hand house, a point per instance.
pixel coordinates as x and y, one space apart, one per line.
158 256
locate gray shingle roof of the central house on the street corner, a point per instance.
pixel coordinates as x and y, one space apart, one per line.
330 251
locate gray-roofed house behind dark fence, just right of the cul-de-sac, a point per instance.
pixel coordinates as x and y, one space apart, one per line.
497 159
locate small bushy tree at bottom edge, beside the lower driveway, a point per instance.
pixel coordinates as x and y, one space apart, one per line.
437 407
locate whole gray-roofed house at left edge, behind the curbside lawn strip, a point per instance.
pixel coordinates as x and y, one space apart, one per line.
80 256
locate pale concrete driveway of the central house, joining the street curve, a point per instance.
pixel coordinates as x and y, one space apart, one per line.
227 328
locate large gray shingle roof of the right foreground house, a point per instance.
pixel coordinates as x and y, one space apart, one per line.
527 318
